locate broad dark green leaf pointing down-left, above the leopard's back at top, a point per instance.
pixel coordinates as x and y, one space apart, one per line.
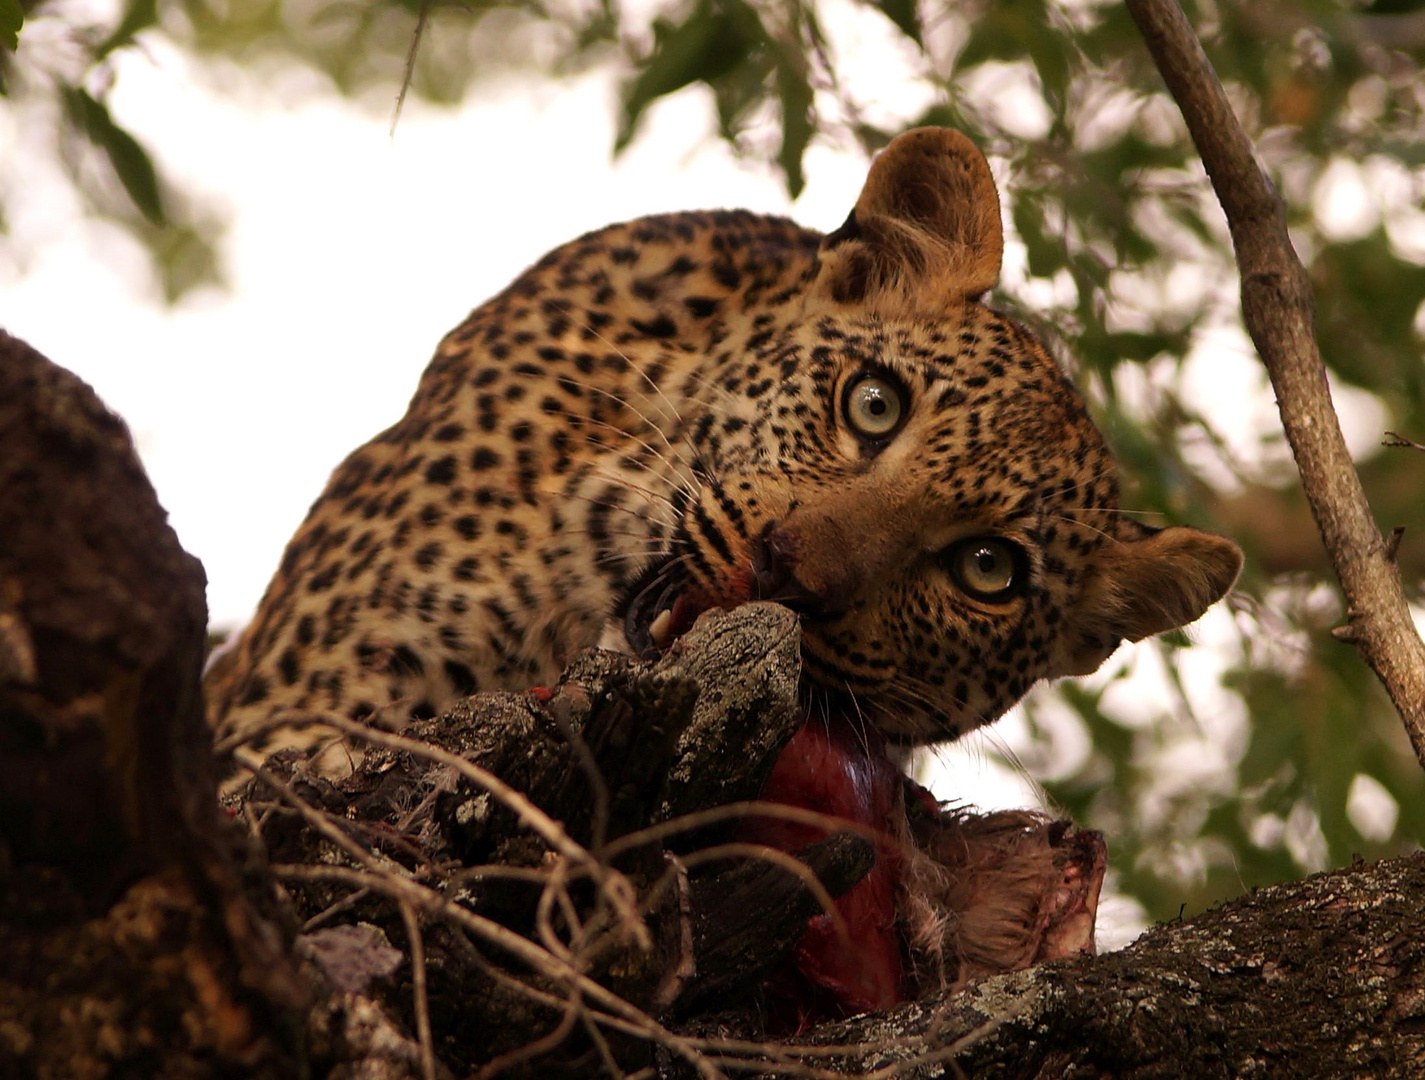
712 43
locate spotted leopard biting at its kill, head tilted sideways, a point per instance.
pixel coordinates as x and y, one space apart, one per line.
702 410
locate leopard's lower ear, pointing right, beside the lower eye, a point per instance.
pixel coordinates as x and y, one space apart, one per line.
1148 582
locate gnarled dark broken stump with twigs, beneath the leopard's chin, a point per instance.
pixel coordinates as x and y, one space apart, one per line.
712 935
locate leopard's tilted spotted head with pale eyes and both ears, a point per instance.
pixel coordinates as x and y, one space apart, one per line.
913 474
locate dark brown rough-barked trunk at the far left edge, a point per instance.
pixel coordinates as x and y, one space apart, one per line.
133 940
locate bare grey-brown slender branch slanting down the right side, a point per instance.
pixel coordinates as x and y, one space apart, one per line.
1279 313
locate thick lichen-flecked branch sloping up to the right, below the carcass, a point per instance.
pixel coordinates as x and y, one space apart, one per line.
1323 980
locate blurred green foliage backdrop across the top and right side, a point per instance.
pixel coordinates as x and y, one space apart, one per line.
1126 271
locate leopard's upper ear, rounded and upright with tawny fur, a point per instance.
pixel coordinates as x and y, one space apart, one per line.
926 229
